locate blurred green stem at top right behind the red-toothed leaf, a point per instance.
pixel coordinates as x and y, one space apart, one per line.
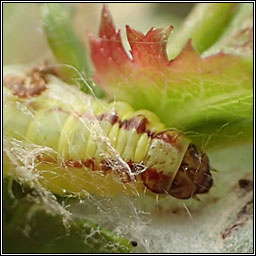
204 25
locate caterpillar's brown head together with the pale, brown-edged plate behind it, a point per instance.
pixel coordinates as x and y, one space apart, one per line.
176 166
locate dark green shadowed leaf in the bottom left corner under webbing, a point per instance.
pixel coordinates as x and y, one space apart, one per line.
29 227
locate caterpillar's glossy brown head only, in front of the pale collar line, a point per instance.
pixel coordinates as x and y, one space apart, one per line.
193 176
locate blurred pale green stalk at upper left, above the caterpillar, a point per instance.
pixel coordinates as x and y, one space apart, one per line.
67 47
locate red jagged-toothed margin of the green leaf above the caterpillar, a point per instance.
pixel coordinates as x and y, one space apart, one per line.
148 52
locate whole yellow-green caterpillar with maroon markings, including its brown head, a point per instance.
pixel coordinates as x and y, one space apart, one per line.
96 146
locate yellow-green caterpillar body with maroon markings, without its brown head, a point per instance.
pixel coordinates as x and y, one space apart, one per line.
91 137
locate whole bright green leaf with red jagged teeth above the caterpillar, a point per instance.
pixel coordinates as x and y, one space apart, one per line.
198 95
